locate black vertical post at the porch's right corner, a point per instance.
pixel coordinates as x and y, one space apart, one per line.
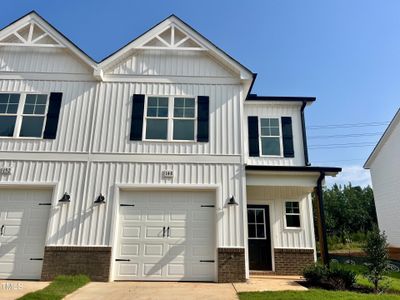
323 242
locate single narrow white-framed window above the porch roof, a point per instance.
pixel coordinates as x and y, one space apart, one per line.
270 137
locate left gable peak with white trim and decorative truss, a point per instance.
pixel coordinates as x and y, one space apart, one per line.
50 32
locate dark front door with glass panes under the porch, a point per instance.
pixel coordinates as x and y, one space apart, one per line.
259 237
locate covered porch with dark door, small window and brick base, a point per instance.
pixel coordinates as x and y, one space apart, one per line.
280 219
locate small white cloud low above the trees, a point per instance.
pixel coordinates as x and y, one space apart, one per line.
355 174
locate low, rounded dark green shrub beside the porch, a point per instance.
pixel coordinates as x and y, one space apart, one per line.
336 277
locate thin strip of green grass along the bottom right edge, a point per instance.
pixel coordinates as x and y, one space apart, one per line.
313 294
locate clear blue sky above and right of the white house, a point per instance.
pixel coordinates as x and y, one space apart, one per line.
346 53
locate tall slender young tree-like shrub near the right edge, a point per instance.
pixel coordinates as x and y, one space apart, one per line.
377 257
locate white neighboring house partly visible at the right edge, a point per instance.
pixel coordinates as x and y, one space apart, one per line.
384 165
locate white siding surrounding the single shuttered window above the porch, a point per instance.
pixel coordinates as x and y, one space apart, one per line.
275 110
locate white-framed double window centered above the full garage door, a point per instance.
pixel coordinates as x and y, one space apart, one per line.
170 118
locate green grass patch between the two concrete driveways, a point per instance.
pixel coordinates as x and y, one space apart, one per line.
60 287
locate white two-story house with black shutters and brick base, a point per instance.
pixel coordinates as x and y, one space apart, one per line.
154 164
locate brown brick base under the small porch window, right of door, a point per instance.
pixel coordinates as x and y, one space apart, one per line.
292 261
